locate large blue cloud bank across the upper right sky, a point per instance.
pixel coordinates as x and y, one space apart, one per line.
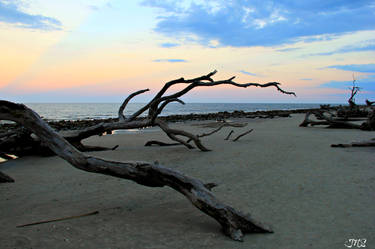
262 22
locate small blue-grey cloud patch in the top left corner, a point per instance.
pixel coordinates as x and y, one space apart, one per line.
11 13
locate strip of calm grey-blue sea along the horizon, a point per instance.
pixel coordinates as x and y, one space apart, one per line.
74 111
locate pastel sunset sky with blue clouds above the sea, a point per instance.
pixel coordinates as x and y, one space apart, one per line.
103 50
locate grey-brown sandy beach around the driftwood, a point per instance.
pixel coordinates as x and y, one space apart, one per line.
312 195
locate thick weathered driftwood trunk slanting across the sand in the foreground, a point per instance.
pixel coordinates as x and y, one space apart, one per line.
234 223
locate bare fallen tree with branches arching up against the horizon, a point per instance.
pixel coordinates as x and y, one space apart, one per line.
12 144
